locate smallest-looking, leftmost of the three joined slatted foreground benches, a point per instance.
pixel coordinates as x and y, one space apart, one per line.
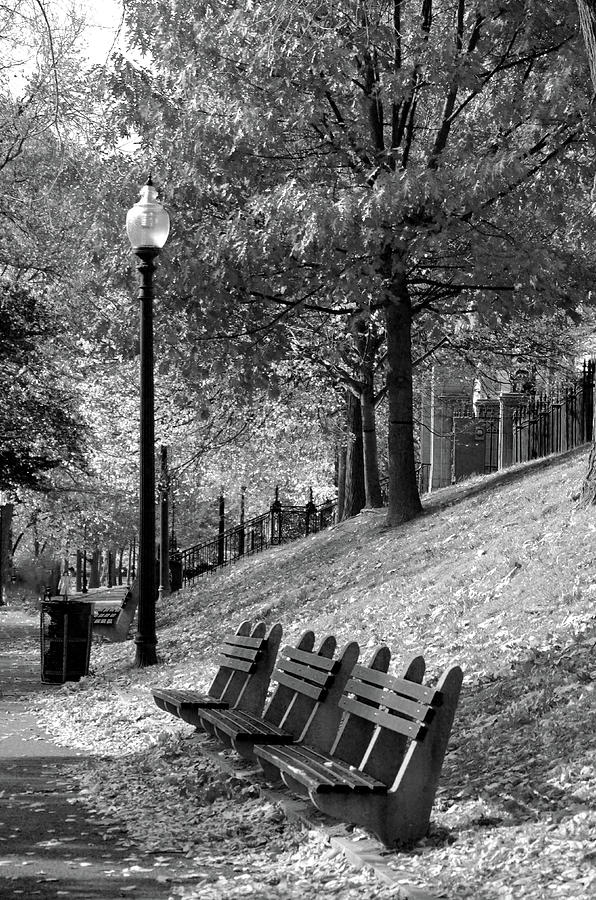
245 665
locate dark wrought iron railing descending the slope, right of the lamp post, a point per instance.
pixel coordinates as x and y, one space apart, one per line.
278 526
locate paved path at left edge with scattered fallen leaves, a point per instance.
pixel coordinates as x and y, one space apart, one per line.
50 845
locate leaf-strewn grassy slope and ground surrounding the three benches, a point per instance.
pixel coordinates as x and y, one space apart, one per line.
499 576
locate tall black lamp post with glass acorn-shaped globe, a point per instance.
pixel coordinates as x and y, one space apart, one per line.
147 226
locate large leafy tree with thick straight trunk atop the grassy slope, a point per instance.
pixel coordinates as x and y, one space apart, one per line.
386 157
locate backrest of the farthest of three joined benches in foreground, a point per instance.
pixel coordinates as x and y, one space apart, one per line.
246 661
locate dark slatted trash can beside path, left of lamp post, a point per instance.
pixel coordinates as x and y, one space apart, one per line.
65 627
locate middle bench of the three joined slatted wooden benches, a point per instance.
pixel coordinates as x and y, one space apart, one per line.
305 702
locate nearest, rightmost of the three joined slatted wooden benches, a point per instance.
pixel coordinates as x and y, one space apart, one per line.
383 768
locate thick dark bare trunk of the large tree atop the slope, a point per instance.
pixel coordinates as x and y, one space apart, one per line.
404 499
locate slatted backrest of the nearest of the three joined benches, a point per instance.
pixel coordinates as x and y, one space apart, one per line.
399 711
